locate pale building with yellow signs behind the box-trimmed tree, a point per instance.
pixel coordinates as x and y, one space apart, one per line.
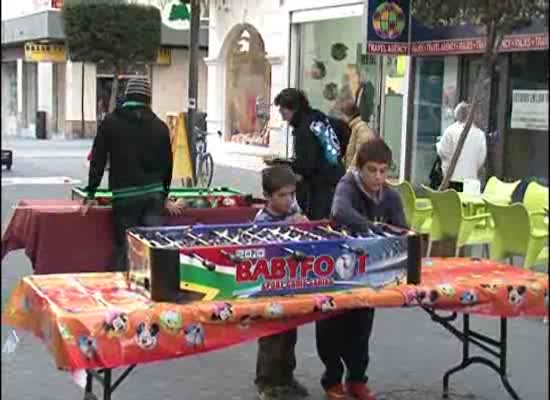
38 75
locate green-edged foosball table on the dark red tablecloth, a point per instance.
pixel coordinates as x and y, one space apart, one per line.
192 197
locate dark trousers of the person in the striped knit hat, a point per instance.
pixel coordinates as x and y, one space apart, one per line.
130 212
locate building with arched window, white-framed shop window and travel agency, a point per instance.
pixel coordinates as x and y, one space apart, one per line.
406 86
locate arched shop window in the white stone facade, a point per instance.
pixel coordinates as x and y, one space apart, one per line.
247 86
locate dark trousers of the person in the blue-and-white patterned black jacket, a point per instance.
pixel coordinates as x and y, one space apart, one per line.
315 199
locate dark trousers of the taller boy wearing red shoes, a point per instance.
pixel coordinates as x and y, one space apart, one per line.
344 341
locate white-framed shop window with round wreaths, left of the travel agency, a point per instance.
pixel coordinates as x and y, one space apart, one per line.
331 67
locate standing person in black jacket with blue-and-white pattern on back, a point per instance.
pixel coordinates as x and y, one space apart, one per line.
317 153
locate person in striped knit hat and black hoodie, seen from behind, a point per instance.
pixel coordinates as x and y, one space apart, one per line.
137 144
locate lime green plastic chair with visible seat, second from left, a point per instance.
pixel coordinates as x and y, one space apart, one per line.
449 222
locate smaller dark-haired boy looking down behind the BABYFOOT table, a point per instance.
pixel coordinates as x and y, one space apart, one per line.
276 354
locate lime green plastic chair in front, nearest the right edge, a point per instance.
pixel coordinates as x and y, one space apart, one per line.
516 236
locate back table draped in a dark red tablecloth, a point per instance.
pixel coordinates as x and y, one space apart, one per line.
57 238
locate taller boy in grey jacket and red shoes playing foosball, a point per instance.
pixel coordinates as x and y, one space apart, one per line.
362 197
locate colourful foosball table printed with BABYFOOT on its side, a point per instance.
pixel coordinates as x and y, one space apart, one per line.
214 262
